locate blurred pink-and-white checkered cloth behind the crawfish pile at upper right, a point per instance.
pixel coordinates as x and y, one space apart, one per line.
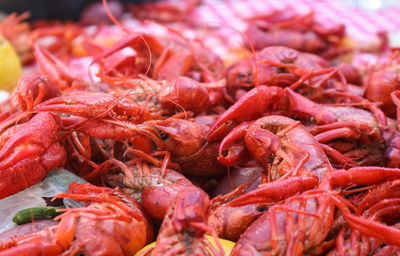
362 24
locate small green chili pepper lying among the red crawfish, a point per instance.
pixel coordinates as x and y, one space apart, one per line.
36 213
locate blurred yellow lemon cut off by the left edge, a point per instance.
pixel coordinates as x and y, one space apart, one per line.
10 65
